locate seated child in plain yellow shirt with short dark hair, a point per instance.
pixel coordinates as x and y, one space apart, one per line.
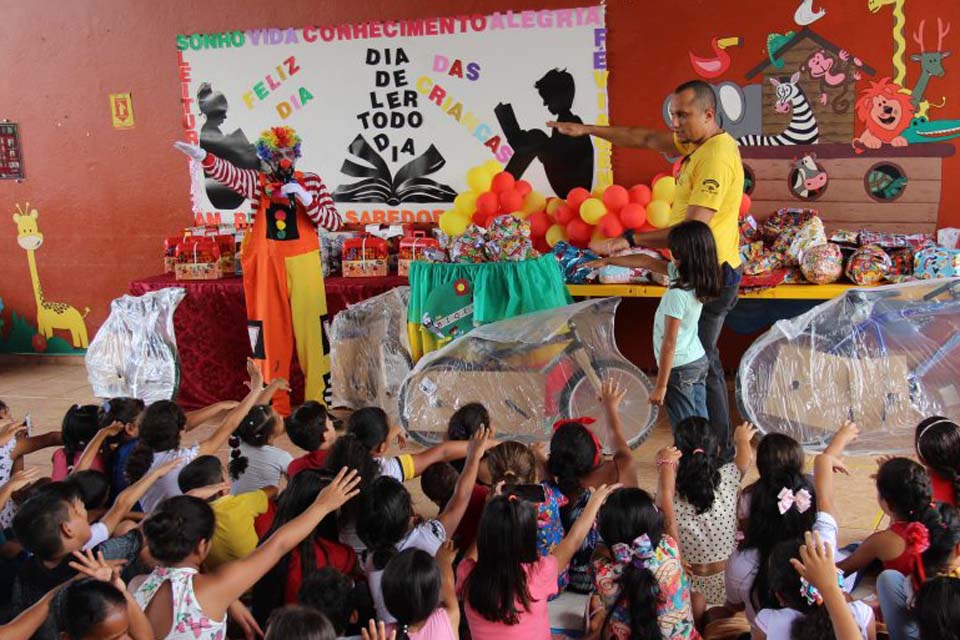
235 536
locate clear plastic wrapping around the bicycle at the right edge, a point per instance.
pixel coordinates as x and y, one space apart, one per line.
885 357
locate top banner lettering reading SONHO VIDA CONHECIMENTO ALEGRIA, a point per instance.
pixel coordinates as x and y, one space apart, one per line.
542 19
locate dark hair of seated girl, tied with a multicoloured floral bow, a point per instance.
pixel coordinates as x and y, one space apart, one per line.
625 516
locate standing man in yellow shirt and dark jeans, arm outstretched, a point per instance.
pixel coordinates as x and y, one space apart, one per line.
709 189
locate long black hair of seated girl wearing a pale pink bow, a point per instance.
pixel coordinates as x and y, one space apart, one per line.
766 526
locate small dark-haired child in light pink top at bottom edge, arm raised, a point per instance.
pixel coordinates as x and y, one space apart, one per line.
420 593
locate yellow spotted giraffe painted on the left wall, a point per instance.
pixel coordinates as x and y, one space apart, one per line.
51 316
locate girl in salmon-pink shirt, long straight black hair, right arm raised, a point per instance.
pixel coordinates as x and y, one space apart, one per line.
503 581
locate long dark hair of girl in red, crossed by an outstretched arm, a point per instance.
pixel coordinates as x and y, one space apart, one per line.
300 493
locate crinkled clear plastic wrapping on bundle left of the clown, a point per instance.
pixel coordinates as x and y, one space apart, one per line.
134 353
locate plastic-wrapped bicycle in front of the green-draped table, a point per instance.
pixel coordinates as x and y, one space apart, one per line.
529 371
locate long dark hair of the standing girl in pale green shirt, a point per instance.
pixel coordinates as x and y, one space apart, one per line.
693 246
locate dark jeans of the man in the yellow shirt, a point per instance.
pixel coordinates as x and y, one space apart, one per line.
711 323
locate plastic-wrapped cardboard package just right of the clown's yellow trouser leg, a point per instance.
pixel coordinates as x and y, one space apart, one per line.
370 352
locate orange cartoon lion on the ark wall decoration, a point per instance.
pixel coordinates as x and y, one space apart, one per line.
885 112
